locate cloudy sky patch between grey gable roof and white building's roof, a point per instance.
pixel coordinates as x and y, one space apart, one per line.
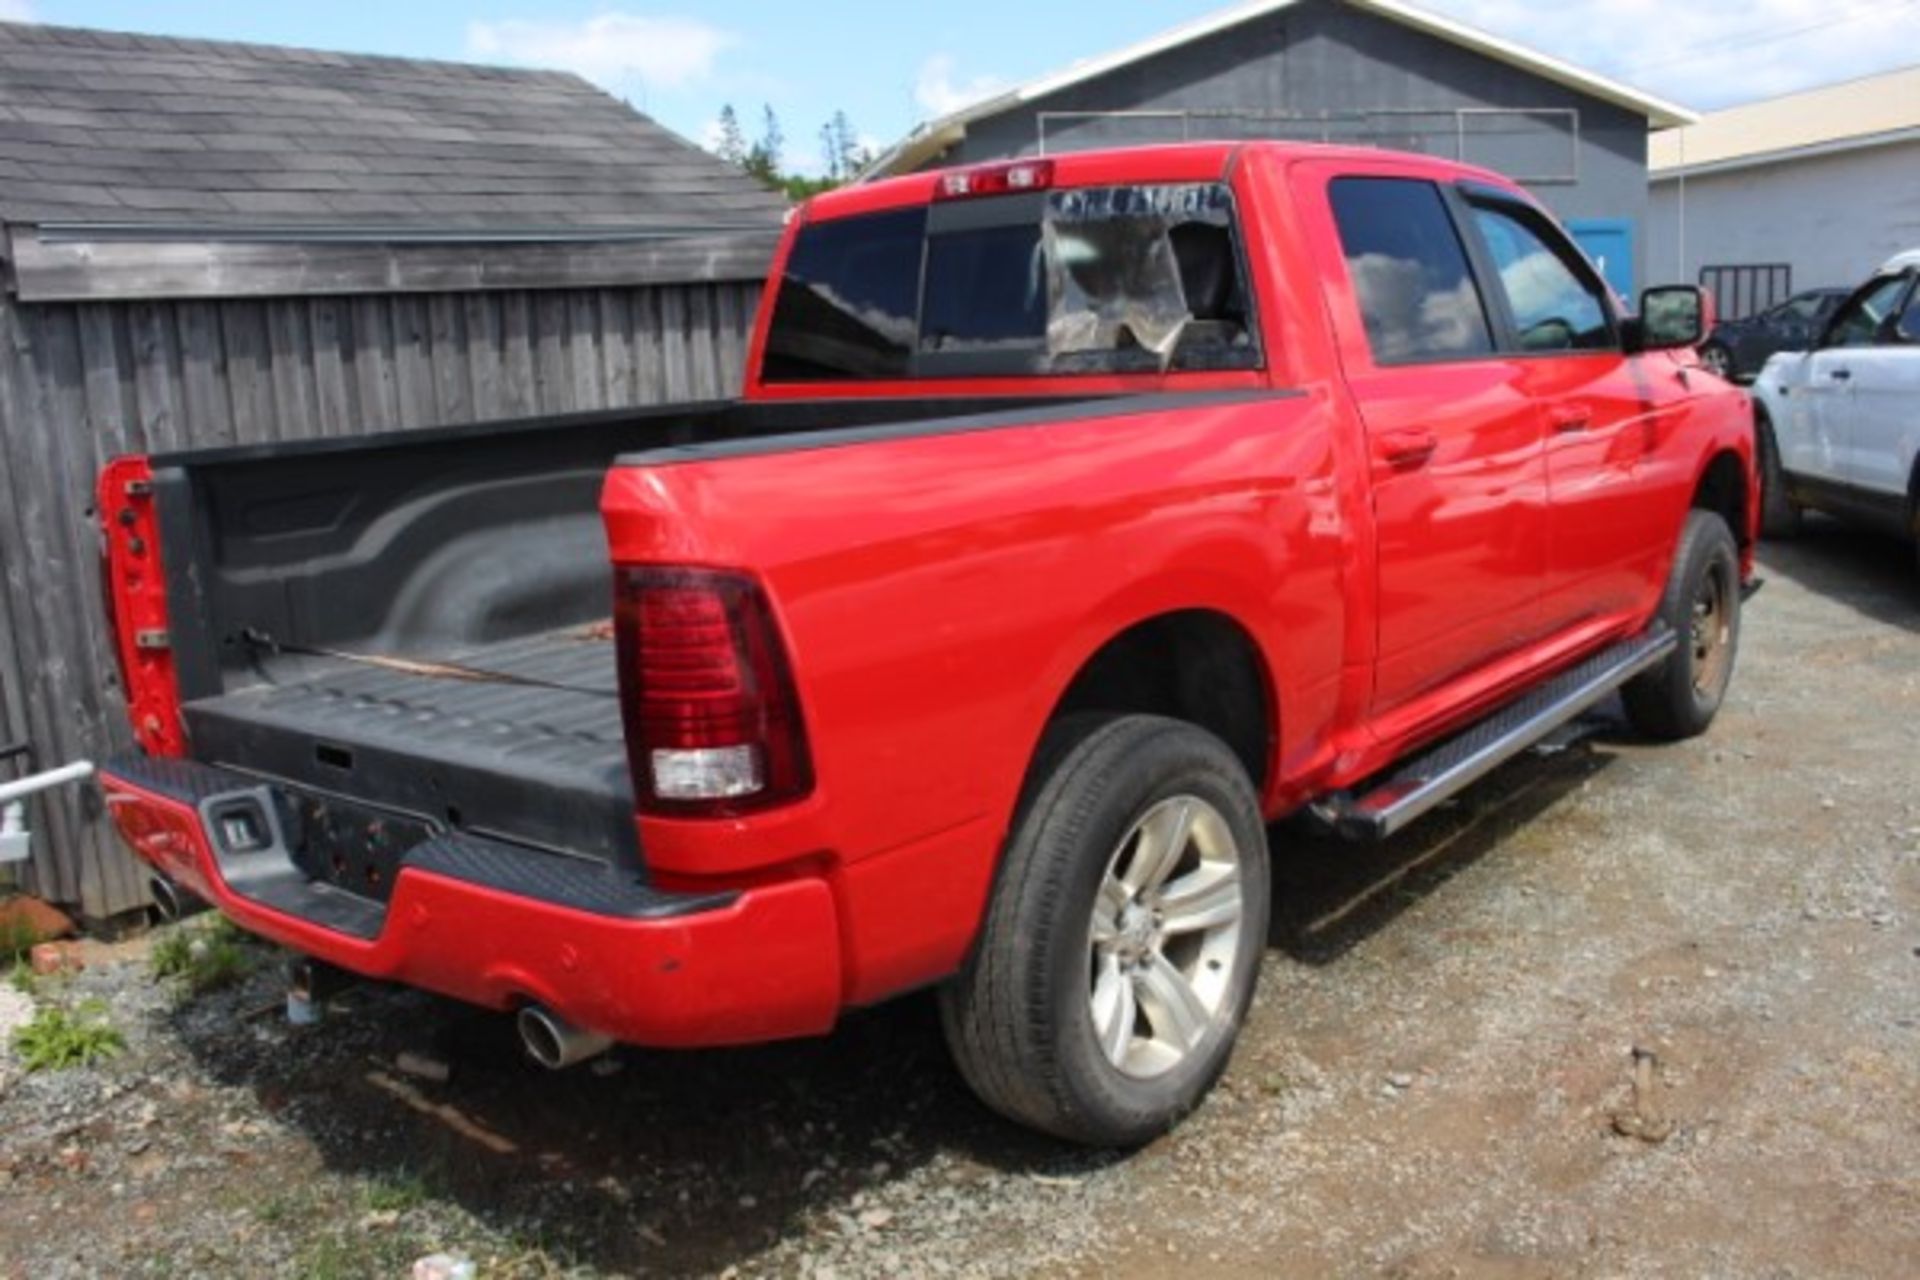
1710 55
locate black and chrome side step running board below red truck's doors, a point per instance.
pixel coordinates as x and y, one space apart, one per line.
1472 755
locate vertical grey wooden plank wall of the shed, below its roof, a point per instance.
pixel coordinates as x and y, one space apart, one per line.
84 381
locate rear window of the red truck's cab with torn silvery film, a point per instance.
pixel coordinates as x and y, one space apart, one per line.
1118 279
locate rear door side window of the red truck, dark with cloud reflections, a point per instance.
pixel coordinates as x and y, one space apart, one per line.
1410 272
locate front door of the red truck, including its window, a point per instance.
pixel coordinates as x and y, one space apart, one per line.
1610 525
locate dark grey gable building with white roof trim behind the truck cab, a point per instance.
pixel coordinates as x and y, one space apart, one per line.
1358 72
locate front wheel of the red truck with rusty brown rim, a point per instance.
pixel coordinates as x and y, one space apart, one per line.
1702 605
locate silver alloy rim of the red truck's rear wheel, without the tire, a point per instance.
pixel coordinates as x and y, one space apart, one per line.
1164 937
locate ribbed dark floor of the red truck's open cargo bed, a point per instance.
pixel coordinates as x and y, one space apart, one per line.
535 763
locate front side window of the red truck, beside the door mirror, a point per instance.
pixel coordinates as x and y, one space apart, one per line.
1554 304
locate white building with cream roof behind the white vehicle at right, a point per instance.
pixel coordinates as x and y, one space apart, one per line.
1808 191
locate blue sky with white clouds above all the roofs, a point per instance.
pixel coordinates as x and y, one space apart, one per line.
888 66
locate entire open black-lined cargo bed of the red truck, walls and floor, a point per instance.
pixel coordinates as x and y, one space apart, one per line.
477 546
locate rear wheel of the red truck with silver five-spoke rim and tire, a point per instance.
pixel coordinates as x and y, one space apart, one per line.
1124 936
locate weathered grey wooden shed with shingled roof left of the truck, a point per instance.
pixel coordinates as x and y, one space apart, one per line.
212 243
